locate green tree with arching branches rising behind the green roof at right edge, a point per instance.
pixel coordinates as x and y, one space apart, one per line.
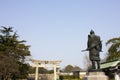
114 49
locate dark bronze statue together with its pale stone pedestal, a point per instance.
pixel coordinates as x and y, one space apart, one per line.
94 46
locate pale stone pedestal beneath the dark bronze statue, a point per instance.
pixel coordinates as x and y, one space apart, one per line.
96 76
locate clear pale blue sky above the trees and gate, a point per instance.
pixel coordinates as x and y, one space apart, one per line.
58 29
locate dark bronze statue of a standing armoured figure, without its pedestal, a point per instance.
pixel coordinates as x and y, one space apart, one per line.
94 46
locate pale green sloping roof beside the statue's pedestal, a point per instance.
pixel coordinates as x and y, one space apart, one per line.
110 64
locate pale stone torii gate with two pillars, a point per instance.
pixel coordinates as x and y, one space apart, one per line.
42 63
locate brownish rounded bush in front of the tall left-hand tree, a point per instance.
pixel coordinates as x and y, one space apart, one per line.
7 66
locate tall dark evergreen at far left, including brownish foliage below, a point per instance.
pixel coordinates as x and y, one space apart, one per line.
13 53
